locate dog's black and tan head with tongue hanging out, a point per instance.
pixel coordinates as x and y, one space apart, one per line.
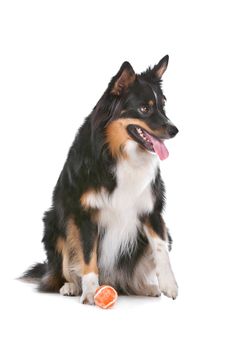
132 108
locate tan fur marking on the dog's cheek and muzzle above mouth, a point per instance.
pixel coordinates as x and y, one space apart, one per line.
117 135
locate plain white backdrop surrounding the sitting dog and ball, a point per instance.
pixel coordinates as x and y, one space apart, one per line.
56 60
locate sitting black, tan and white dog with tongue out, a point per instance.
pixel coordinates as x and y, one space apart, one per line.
105 225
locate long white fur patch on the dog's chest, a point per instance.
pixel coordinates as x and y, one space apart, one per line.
119 212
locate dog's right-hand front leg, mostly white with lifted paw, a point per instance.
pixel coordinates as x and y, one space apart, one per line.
166 278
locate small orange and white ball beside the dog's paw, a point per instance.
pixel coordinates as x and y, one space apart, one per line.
105 296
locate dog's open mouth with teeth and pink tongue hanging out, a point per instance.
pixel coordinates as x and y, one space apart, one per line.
150 142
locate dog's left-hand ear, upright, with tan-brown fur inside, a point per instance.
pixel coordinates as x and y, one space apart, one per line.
123 79
